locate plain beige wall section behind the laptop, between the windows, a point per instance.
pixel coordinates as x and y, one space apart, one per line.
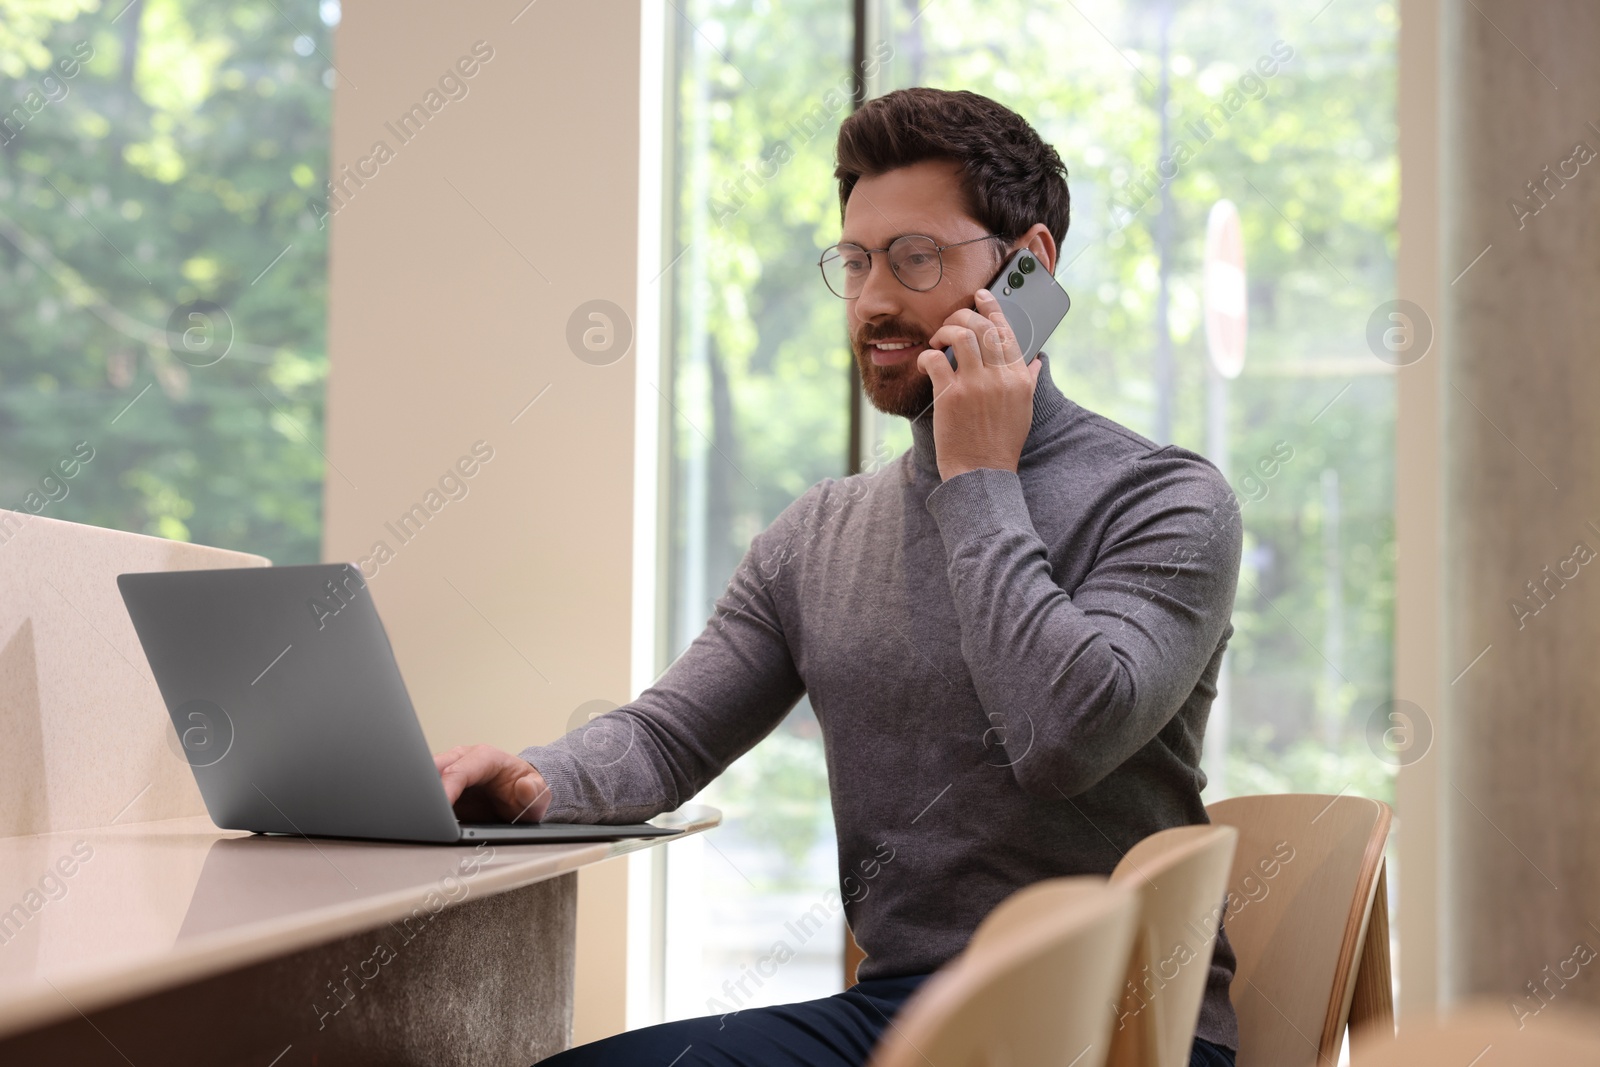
455 268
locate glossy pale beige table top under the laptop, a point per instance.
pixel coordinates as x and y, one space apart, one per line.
98 917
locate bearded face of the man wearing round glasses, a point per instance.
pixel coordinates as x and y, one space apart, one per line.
890 324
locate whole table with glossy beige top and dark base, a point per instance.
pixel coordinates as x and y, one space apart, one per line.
177 943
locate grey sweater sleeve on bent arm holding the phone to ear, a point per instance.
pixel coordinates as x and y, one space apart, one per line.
1079 682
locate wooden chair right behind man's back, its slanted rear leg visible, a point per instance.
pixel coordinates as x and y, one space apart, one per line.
1310 922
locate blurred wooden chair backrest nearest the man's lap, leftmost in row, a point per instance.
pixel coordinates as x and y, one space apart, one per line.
1034 986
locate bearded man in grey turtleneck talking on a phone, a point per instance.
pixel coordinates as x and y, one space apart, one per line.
1010 636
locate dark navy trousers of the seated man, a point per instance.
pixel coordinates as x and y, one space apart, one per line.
838 1031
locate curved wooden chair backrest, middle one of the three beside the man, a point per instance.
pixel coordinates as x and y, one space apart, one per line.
1182 879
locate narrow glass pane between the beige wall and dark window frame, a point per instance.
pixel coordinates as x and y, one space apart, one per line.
759 414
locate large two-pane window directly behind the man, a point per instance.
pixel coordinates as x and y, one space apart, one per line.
1161 110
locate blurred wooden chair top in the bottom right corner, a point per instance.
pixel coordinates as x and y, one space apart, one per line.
1486 1034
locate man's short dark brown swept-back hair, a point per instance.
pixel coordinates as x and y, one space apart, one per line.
1014 180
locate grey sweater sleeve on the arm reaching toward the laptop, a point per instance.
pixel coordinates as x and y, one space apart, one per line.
727 692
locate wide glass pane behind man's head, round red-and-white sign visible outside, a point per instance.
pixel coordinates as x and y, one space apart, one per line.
1289 111
